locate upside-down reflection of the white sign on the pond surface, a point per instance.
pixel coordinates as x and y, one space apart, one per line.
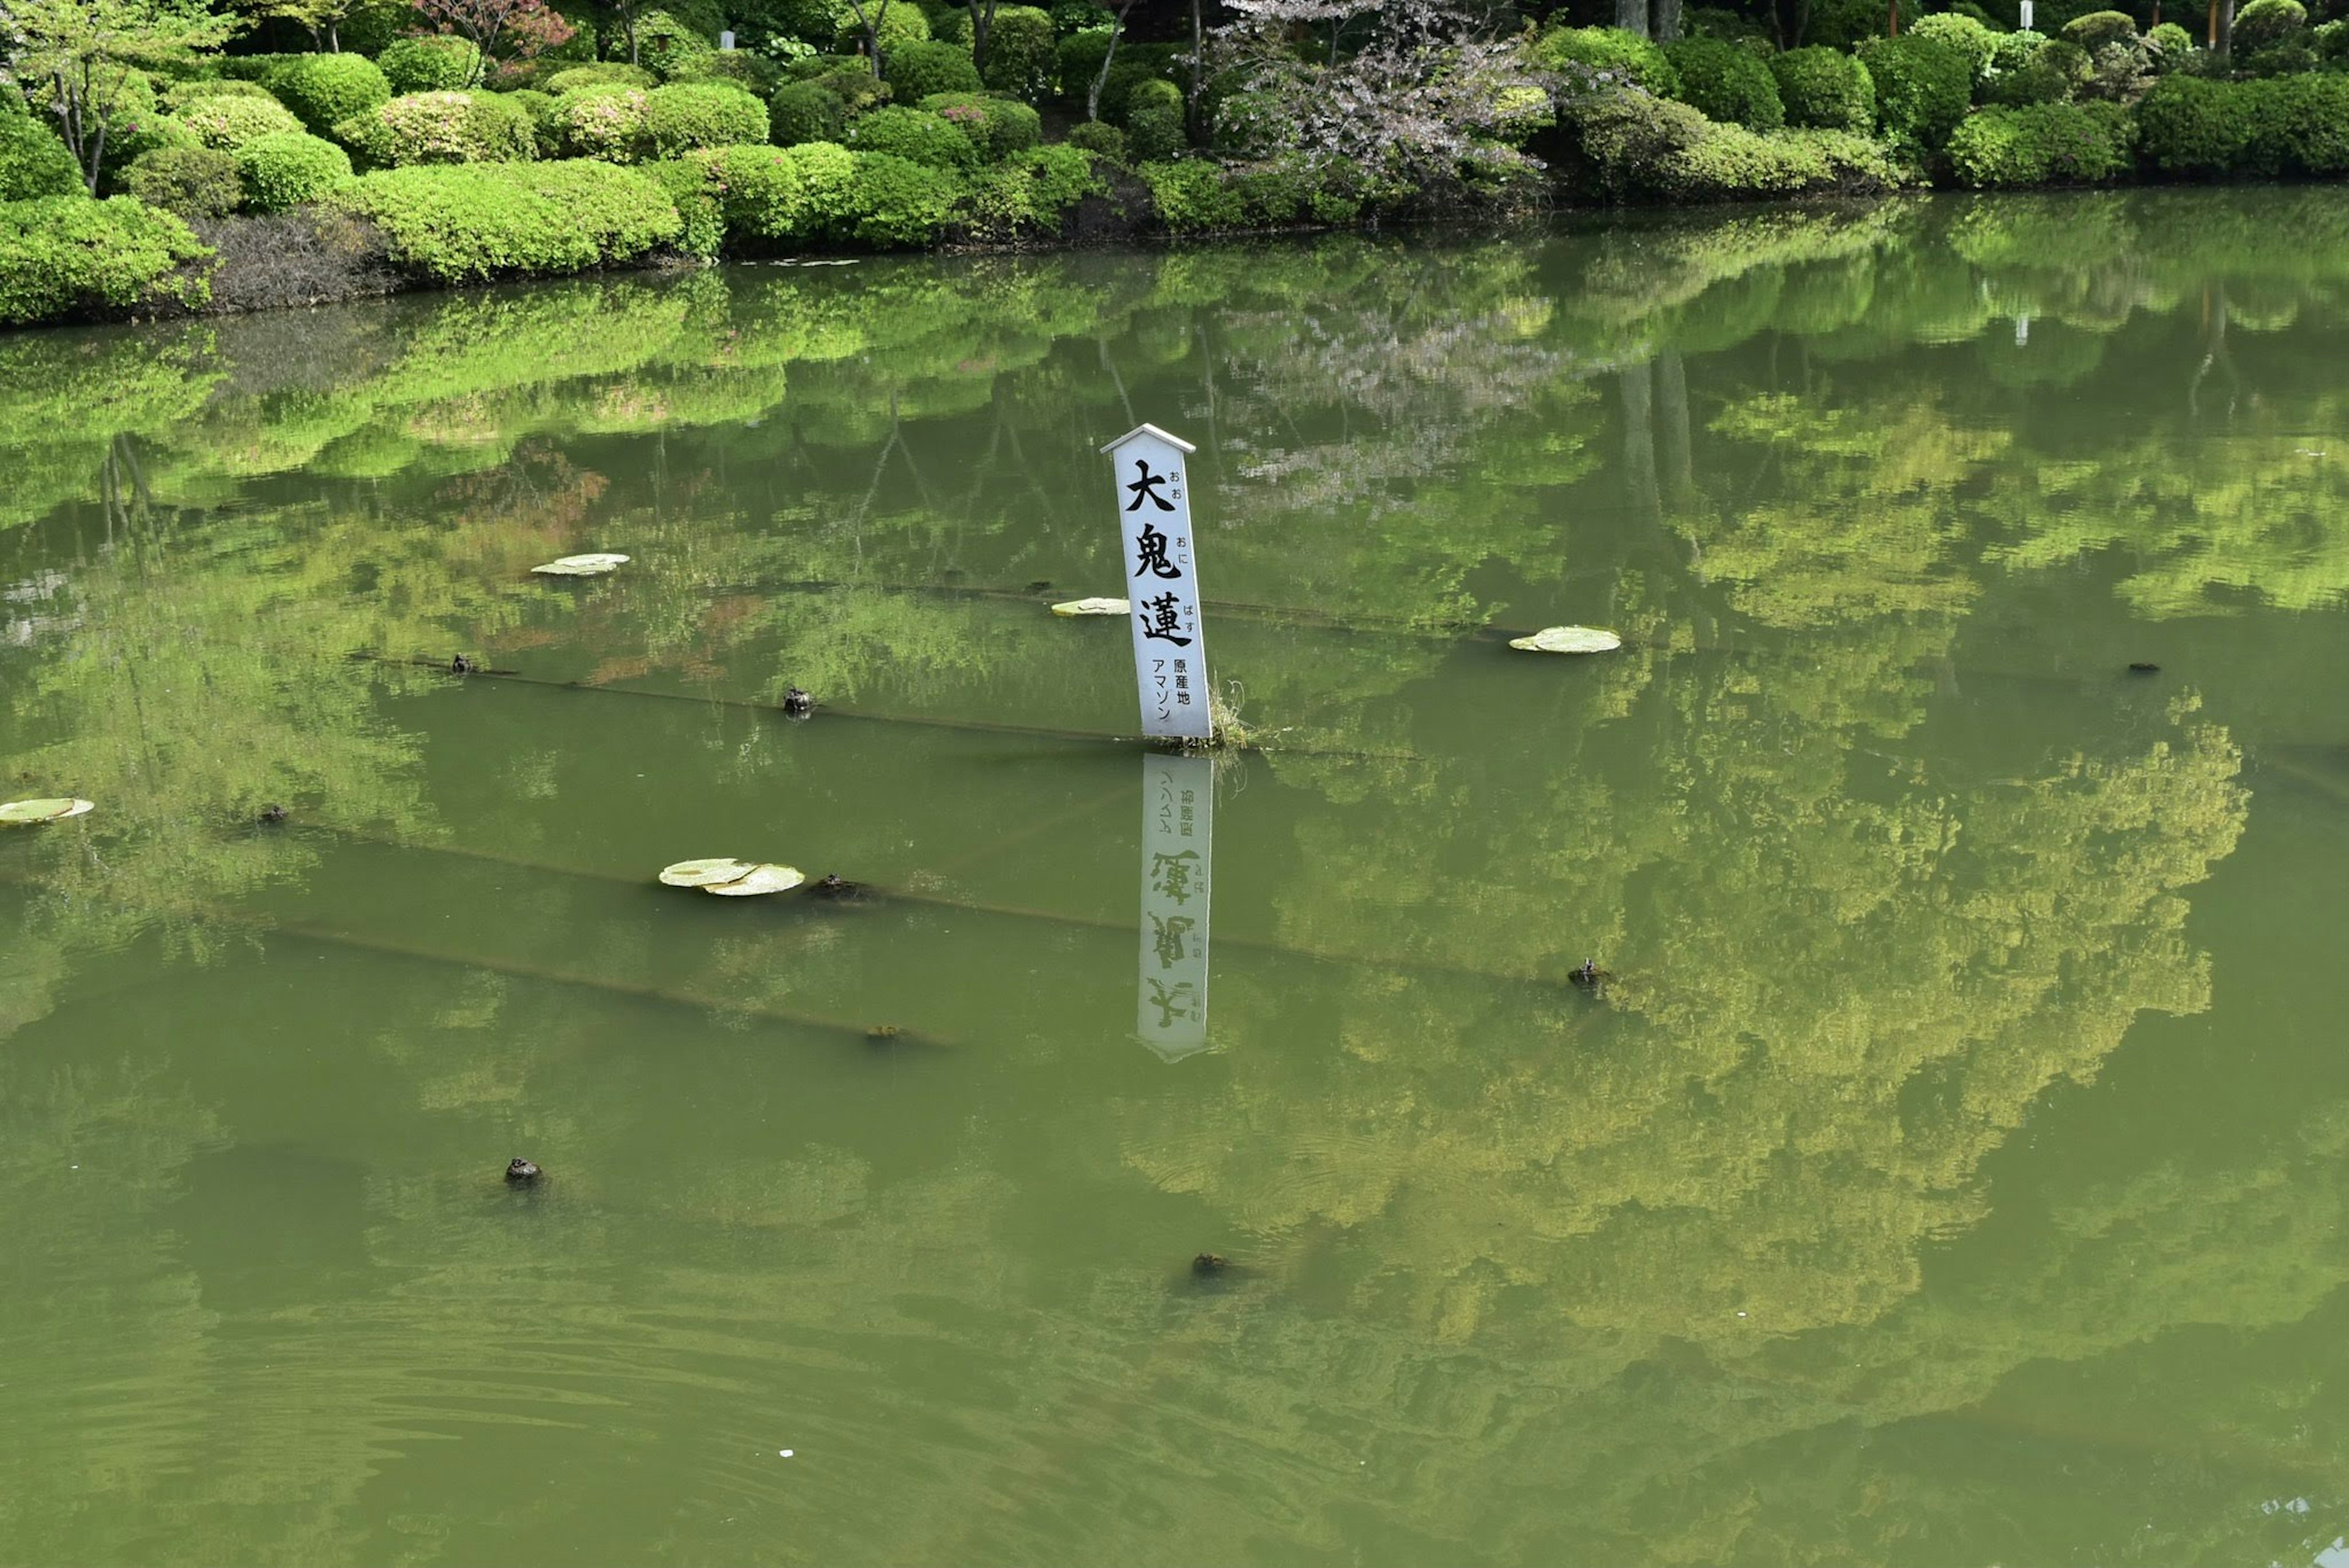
1178 873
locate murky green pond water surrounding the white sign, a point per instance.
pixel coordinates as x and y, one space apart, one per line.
1953 1170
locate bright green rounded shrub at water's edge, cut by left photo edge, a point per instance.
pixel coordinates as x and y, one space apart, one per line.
67 255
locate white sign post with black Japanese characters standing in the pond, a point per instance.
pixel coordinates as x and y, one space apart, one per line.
1162 579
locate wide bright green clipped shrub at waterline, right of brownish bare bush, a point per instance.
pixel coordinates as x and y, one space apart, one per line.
537 220
